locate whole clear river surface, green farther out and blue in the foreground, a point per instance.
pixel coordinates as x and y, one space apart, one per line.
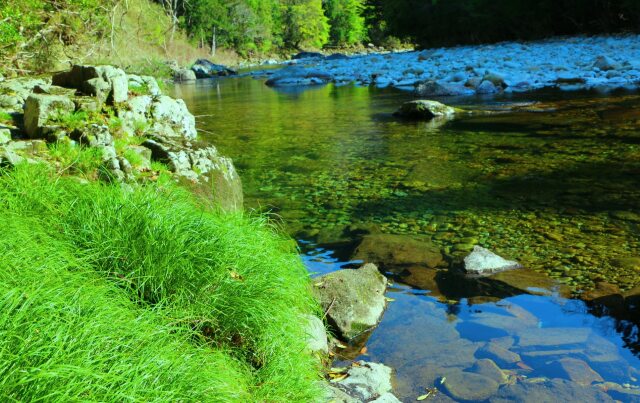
554 185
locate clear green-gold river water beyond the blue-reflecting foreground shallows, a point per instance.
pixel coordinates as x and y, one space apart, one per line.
554 186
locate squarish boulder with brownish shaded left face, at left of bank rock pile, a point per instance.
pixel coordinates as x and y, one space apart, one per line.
40 108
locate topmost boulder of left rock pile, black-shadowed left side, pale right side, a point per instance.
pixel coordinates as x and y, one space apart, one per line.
107 83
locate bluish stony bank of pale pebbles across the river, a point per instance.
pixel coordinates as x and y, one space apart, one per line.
576 63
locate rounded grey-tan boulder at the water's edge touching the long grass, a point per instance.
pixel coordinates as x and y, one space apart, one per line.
353 299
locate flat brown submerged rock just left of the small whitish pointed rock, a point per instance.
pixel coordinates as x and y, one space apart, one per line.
389 251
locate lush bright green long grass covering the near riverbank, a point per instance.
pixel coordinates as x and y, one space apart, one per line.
147 296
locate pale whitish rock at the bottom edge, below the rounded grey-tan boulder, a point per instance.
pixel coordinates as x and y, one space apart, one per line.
367 382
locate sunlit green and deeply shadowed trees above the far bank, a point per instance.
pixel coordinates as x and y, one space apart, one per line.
264 25
